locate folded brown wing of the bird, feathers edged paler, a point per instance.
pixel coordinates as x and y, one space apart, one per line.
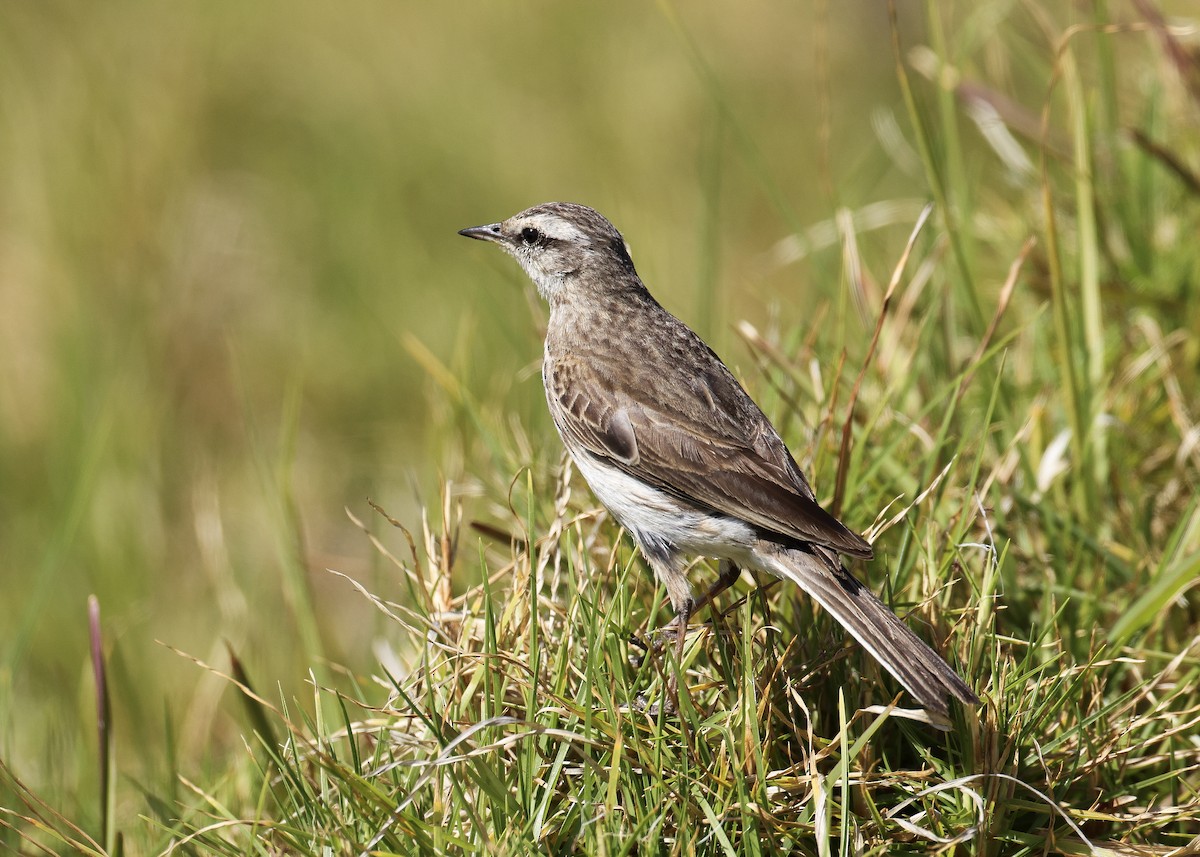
700 439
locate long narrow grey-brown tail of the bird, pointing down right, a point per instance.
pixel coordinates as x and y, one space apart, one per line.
919 668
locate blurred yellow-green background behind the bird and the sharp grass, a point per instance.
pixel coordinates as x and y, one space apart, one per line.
229 262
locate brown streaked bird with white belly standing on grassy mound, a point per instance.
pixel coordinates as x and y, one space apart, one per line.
676 450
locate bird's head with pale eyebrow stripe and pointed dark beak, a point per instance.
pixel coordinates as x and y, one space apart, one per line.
565 249
